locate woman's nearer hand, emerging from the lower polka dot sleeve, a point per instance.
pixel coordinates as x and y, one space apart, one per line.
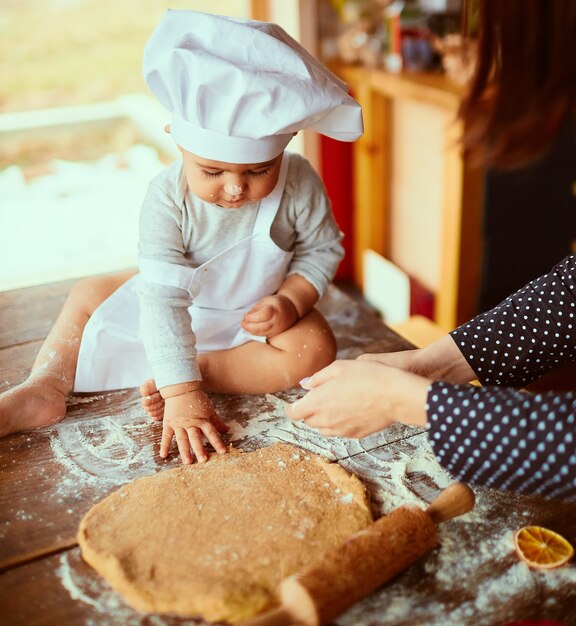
358 398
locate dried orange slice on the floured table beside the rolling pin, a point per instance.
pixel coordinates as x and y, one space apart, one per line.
541 548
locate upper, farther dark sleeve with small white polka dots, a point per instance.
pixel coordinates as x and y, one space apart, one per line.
529 333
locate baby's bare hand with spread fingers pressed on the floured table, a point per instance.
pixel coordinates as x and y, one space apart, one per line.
187 417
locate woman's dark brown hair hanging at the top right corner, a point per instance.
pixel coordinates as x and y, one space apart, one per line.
523 92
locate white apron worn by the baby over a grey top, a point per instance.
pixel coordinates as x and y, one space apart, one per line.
223 290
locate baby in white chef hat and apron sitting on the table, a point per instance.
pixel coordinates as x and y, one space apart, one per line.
237 242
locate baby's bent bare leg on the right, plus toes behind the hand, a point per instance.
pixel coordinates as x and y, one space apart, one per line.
255 367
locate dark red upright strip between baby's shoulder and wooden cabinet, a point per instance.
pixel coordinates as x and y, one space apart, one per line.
337 174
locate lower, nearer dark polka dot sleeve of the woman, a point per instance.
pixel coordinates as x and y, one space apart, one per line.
505 439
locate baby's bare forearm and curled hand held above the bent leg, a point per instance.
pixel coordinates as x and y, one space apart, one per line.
274 314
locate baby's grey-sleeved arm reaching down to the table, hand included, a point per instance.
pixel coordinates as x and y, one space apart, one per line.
166 326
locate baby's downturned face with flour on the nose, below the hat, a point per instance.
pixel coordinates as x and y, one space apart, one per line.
230 185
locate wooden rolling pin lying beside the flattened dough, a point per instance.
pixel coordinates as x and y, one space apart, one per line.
368 559
